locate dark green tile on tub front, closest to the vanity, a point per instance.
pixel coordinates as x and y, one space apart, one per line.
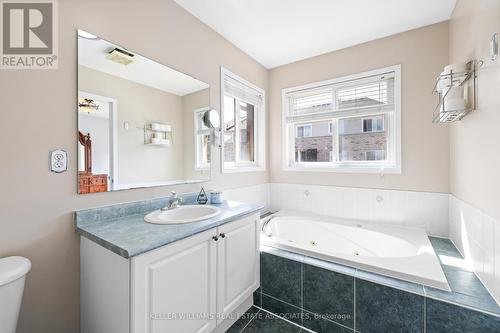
281 278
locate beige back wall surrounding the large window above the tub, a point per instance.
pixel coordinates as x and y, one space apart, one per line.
422 53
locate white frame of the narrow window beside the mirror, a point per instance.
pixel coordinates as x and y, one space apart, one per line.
259 128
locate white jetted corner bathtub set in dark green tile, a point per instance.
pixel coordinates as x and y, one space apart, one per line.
396 251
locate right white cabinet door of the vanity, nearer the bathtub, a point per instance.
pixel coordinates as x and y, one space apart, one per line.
238 269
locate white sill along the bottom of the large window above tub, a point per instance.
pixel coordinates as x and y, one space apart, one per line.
375 169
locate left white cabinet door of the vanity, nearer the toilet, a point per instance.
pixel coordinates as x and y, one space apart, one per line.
174 287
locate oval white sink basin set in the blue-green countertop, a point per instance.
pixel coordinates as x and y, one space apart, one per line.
182 214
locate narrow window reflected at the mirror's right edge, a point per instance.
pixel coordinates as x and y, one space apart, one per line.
202 141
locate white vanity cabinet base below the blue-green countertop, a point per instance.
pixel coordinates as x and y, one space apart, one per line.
189 286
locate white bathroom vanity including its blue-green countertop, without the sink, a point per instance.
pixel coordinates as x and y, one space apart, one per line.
139 277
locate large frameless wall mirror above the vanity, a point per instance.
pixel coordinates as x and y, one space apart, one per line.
140 123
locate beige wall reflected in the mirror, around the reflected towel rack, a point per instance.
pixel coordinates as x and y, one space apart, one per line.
139 105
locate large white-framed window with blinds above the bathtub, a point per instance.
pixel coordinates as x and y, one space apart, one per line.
349 124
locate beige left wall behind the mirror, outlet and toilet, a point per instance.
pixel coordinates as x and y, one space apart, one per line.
38 114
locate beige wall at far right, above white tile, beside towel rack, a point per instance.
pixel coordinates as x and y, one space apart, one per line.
474 152
